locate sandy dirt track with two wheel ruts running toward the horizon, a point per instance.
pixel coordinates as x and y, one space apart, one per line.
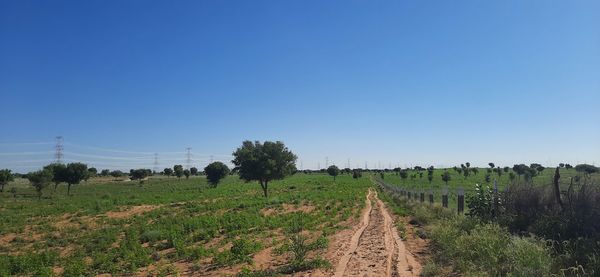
376 248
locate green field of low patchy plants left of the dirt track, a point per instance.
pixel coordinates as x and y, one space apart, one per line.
165 224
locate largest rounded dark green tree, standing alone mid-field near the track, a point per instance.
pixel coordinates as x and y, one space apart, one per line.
264 162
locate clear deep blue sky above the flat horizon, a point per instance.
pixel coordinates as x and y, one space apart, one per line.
389 82
